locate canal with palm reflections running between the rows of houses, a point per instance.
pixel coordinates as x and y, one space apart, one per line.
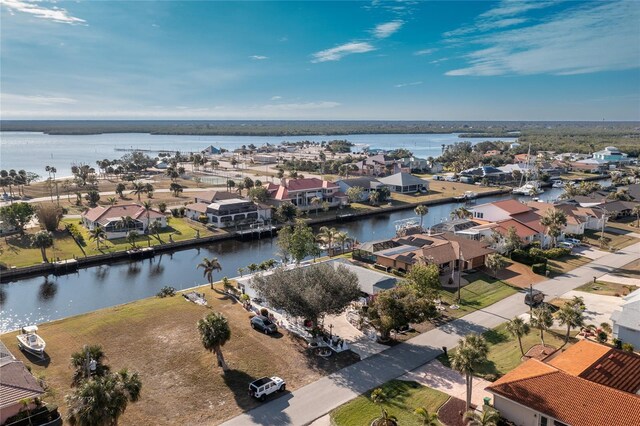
41 299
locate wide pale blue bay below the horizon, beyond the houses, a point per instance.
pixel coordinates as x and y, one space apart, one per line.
62 151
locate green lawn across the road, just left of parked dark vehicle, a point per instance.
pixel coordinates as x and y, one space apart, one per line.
481 292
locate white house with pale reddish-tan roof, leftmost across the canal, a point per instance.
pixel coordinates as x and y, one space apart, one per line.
111 219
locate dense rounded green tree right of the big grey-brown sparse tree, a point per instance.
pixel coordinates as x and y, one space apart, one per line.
399 307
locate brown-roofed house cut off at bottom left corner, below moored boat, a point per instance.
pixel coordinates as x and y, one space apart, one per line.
16 384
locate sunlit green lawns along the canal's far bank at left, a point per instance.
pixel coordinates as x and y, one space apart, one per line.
17 250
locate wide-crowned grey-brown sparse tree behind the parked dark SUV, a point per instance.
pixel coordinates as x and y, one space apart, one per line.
309 292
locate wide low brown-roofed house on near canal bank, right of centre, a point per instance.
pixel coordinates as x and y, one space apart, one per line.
447 251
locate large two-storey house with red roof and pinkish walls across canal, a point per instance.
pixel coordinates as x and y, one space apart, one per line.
301 192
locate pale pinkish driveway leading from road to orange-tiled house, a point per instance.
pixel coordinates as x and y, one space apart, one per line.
437 376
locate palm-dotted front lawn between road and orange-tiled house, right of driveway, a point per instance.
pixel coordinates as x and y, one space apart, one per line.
504 352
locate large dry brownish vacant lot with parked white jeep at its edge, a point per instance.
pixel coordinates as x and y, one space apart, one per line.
181 382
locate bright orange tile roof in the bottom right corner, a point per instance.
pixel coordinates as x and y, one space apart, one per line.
569 399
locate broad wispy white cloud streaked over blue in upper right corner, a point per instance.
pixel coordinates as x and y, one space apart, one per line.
585 39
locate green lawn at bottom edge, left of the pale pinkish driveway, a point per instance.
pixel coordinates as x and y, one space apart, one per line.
404 398
